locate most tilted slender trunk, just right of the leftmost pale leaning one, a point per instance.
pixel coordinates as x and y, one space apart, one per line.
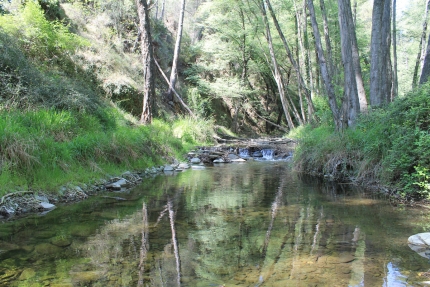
311 109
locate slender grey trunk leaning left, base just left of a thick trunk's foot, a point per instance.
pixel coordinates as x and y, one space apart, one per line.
327 78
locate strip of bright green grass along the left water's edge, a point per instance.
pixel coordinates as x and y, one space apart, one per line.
44 149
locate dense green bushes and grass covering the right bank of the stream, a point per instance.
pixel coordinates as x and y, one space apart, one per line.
389 146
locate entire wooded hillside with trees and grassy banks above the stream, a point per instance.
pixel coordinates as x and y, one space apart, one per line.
94 87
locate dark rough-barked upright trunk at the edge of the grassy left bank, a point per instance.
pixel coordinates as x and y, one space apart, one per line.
147 60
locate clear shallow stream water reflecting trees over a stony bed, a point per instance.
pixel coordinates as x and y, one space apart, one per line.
252 224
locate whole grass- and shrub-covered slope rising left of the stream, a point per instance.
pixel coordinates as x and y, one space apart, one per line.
64 87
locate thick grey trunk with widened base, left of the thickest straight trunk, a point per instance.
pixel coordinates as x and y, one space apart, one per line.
350 103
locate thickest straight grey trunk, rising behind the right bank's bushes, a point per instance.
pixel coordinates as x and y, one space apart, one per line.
380 71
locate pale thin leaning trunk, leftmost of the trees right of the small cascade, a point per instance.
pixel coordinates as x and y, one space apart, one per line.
277 73
